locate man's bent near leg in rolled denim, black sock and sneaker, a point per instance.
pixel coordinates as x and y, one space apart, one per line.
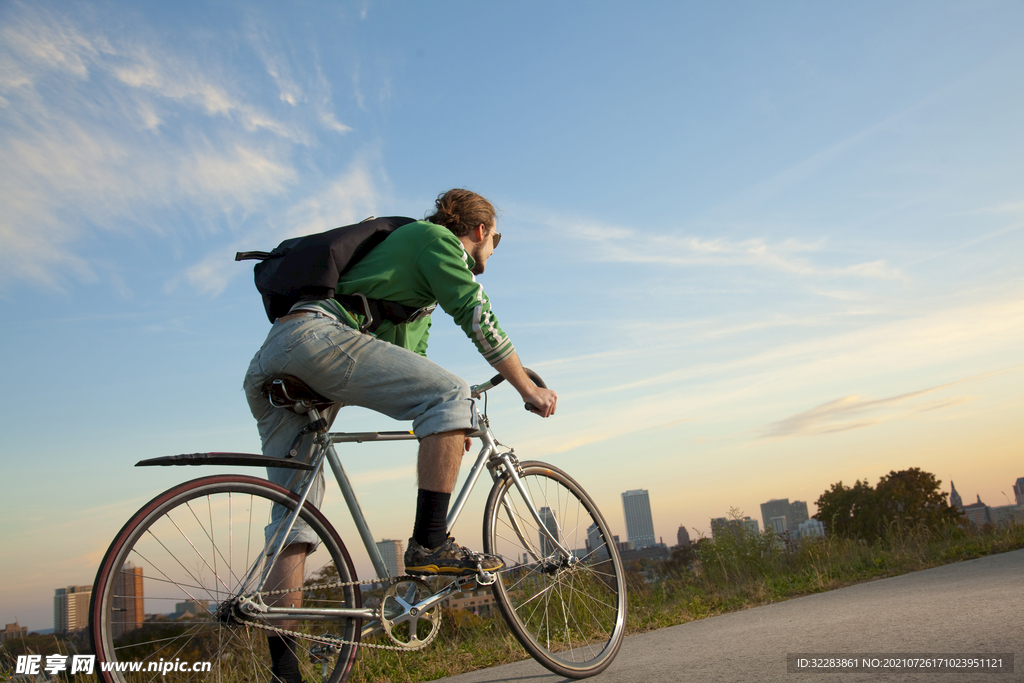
355 369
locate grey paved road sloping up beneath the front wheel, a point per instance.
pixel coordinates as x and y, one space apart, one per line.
969 608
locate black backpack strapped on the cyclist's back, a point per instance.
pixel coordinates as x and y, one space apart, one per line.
308 269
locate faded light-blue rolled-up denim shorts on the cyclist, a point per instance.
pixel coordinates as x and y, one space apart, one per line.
352 369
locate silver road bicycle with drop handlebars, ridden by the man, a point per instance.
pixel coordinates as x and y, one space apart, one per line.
202 546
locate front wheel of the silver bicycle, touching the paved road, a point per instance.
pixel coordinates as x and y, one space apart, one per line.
568 612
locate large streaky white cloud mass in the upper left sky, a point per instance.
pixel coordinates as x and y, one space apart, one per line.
107 131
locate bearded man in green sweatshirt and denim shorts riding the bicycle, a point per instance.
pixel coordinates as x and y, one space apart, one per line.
422 264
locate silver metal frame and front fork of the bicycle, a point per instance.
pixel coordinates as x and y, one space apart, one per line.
490 457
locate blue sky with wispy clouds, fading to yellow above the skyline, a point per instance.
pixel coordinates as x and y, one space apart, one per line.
756 248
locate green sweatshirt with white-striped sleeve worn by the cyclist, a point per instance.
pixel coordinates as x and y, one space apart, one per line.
418 266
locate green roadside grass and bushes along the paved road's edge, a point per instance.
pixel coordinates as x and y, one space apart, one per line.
902 525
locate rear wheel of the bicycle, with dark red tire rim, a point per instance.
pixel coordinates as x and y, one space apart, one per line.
197 543
